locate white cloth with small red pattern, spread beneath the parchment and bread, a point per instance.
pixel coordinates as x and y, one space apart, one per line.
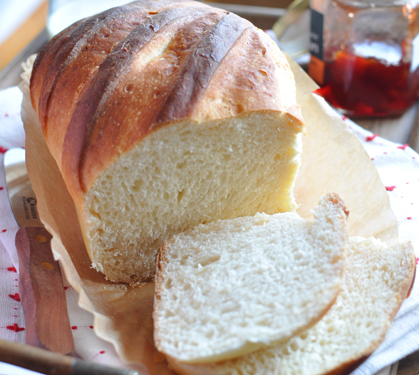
398 166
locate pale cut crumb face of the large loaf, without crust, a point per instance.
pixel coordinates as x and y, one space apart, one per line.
184 175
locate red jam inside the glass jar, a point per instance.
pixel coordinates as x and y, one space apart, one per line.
367 86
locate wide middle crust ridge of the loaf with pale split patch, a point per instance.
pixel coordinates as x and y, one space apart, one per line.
129 98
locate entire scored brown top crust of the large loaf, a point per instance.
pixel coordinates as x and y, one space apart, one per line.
102 94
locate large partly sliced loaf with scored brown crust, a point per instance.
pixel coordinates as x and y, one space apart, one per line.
162 115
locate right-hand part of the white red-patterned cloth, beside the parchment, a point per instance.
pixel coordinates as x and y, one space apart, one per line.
398 167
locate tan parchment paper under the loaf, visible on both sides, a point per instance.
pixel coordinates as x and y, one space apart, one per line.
333 161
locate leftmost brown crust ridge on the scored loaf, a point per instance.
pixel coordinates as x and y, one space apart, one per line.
82 53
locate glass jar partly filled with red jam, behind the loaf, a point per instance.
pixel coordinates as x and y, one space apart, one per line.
365 55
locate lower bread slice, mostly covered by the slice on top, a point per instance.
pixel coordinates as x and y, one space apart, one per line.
376 280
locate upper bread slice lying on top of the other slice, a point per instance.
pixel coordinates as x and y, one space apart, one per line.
230 287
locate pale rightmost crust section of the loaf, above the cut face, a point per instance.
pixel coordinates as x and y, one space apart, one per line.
246 80
